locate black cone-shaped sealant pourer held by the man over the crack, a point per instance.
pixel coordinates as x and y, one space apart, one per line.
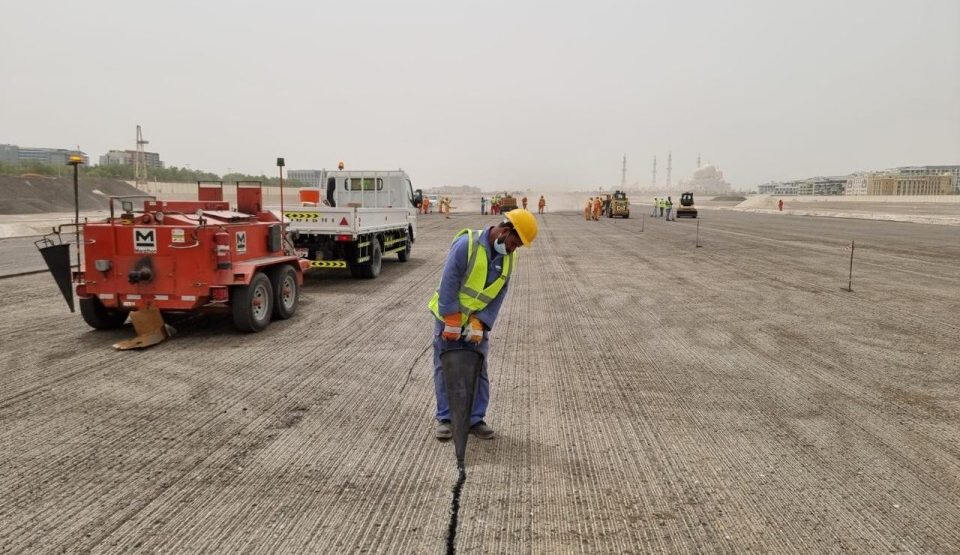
461 372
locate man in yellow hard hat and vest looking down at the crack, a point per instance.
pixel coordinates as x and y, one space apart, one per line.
465 306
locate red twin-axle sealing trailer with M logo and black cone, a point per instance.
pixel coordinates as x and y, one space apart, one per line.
182 256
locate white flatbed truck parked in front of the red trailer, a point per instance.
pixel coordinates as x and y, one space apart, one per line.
353 219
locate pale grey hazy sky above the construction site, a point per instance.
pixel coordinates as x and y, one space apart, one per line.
540 94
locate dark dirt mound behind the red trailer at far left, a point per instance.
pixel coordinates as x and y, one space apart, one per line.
35 194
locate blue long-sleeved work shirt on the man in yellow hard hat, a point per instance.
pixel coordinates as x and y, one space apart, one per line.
454 273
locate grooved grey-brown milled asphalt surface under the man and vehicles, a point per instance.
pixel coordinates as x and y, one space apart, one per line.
649 396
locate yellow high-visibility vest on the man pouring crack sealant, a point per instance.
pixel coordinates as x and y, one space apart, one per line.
474 294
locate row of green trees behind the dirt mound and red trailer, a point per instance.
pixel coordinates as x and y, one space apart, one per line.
170 174
